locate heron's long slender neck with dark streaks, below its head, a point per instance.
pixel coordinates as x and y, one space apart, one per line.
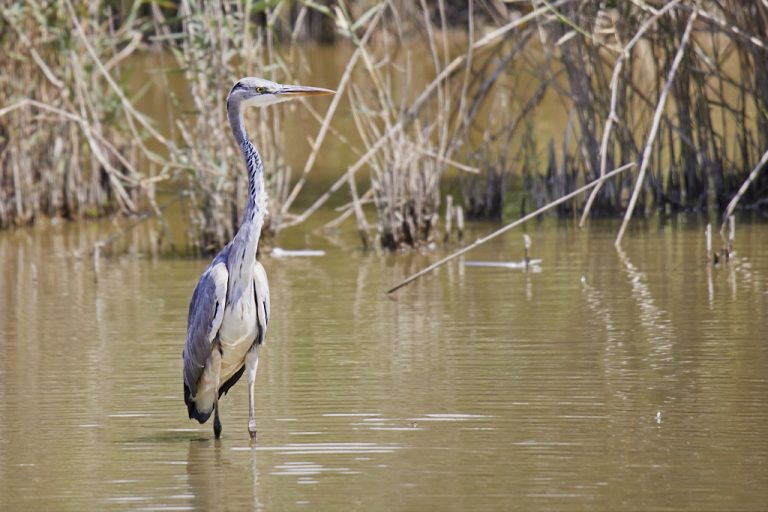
247 237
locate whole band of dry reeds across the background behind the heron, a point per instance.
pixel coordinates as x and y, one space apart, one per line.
679 89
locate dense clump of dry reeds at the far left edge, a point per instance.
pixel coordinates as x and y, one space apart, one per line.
65 150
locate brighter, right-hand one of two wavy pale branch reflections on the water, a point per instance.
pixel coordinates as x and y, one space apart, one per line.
654 319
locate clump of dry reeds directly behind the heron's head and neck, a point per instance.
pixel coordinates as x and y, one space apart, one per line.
217 43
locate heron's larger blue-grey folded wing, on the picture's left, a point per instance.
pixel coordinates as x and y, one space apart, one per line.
206 312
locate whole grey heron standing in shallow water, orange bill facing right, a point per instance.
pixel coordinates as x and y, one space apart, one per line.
229 310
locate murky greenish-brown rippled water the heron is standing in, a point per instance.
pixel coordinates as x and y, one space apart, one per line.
642 387
